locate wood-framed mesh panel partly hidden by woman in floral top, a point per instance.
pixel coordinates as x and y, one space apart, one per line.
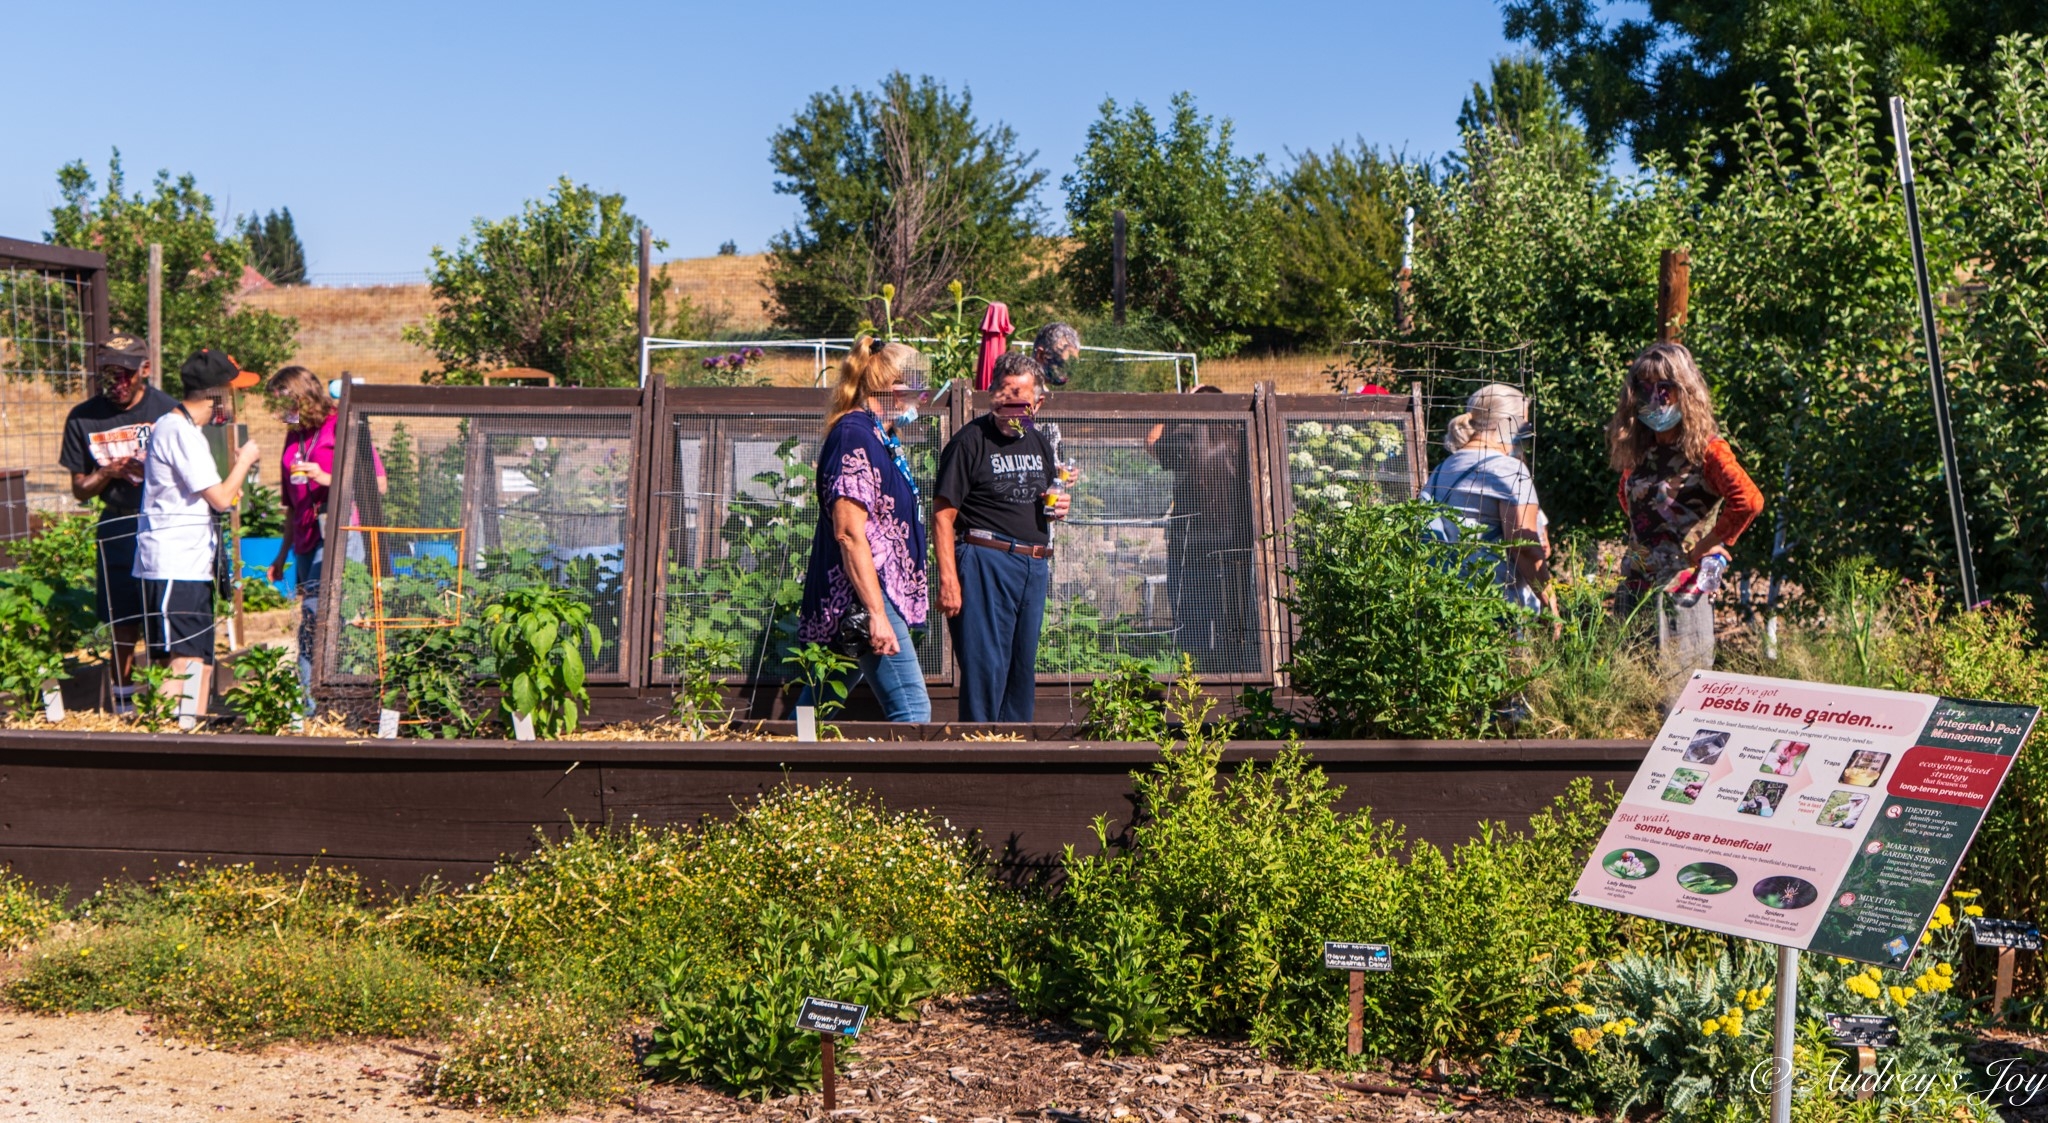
738 515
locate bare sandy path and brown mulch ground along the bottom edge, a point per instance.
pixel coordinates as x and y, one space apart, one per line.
970 1060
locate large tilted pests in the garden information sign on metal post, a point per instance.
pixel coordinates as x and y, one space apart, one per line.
1814 817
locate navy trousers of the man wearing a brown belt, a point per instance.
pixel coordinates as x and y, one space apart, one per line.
996 634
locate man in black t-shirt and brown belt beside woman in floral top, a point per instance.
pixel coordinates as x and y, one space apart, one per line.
992 534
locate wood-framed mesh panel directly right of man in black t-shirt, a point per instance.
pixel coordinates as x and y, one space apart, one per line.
1160 554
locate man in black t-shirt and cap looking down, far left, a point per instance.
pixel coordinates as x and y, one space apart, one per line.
105 444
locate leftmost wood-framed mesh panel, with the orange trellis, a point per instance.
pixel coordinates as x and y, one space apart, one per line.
456 499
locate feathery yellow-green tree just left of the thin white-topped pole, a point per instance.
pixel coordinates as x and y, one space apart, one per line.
1338 237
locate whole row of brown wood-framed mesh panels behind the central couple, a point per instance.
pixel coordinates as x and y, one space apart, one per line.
691 511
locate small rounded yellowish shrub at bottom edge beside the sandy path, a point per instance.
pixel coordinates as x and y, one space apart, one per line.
529 1056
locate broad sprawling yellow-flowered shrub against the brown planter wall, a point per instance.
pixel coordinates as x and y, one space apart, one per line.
620 903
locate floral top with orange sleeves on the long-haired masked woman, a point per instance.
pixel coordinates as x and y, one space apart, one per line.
1666 499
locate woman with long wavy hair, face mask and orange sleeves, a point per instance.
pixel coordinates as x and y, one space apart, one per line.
1684 495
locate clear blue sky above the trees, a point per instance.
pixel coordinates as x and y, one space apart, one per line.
388 128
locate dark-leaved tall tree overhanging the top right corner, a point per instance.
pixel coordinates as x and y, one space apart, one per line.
1668 69
